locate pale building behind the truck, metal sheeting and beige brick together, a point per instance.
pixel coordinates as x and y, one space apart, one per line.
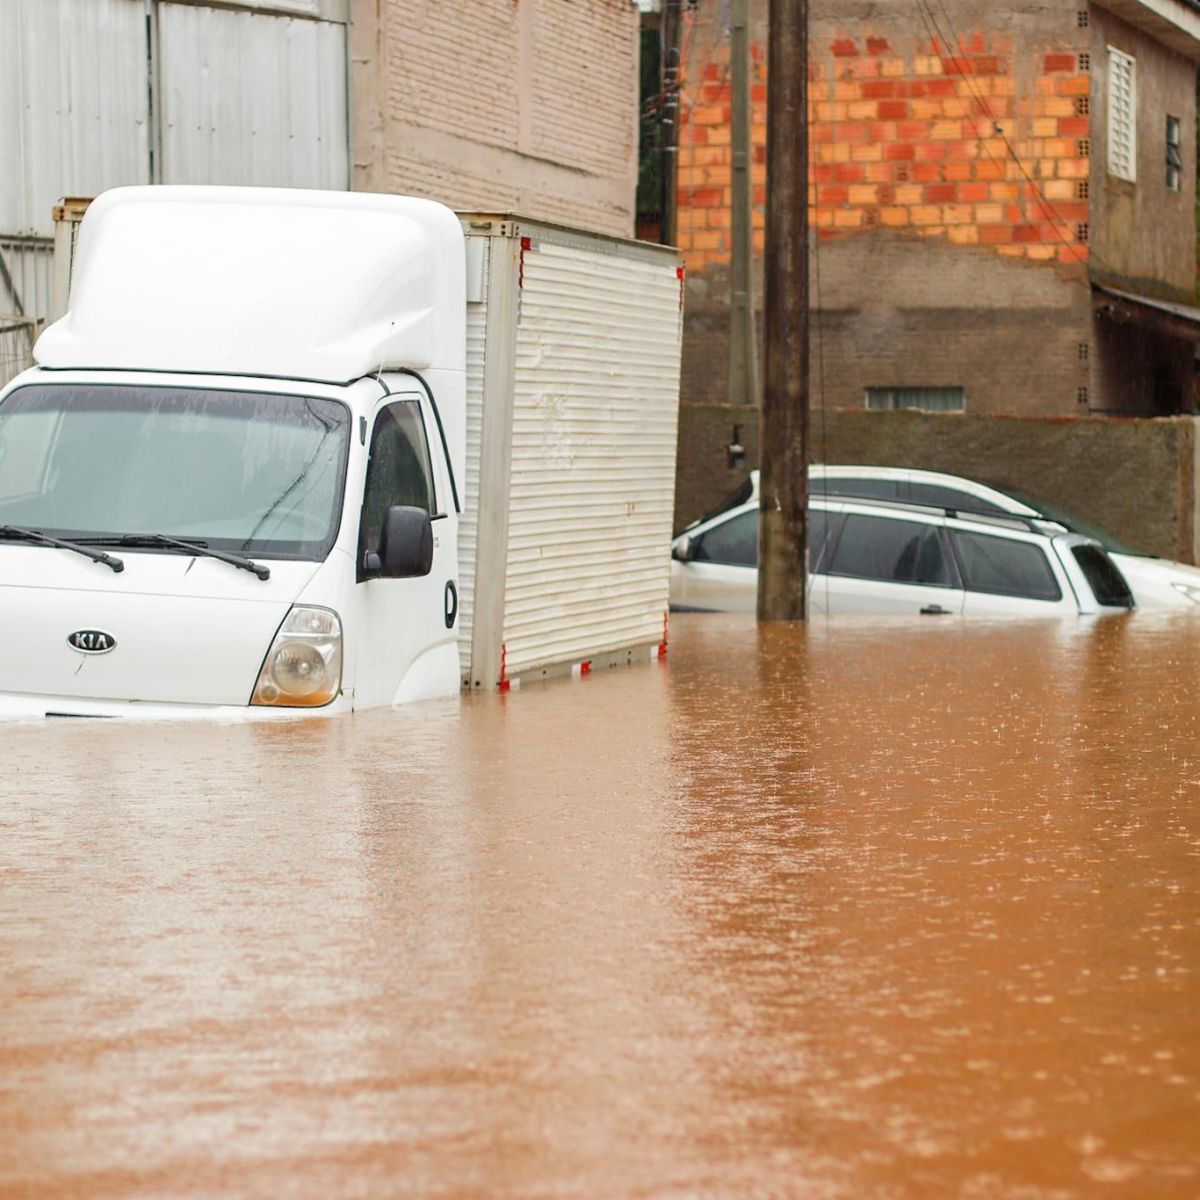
526 106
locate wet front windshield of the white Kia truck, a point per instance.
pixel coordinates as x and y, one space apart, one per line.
239 471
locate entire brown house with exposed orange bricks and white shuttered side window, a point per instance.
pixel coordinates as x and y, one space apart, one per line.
1001 203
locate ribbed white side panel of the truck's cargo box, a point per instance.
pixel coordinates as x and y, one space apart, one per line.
595 429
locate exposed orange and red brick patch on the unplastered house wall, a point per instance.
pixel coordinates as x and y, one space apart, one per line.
976 143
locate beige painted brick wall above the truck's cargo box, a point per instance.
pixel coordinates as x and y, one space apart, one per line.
527 107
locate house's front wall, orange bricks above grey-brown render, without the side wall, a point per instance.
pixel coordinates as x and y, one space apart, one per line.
950 175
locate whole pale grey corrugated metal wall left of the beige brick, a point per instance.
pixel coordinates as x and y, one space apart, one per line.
248 95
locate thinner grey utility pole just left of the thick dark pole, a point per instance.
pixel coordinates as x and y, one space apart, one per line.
743 380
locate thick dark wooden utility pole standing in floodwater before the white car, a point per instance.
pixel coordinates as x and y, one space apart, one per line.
784 424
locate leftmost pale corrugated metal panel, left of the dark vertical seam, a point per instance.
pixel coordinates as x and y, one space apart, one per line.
74 105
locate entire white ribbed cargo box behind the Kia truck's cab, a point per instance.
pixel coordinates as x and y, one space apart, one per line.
573 393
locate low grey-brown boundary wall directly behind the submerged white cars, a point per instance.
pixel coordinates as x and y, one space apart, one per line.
1135 478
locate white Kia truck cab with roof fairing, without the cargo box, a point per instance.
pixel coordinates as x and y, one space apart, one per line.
232 484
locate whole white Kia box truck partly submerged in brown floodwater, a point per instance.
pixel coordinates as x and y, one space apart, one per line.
302 452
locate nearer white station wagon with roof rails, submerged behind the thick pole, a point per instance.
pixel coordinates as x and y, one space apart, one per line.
898 556
